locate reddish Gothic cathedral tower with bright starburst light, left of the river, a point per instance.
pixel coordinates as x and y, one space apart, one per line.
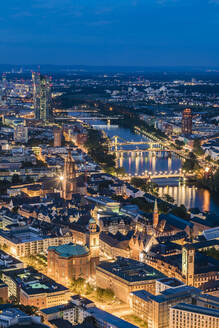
69 182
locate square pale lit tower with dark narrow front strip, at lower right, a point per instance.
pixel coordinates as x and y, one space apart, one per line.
188 264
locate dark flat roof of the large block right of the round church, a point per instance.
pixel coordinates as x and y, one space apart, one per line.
130 270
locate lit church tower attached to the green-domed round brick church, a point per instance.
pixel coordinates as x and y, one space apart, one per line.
93 244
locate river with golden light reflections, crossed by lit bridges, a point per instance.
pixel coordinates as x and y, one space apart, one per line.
137 163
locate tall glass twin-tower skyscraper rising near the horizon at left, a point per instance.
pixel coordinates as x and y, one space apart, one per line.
42 97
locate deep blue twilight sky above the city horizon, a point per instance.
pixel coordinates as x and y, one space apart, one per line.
110 32
